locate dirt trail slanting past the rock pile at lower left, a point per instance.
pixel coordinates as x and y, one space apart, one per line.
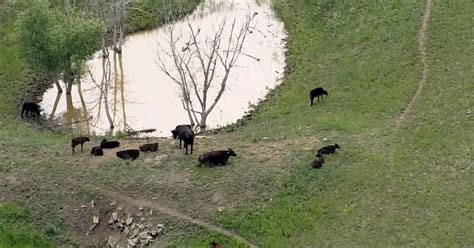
167 211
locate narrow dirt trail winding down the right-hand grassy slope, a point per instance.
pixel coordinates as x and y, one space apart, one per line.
422 40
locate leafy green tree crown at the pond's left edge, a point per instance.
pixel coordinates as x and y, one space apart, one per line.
58 43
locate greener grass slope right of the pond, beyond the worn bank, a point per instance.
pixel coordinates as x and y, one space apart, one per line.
366 55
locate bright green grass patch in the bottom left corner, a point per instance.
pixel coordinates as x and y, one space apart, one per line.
16 229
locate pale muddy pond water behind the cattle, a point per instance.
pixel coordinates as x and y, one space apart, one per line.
129 91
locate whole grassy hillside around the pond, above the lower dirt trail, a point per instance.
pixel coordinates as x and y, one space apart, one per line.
388 186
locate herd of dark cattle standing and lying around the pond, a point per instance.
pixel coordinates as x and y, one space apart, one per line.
186 136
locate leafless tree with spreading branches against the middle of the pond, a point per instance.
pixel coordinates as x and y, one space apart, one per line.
196 64
